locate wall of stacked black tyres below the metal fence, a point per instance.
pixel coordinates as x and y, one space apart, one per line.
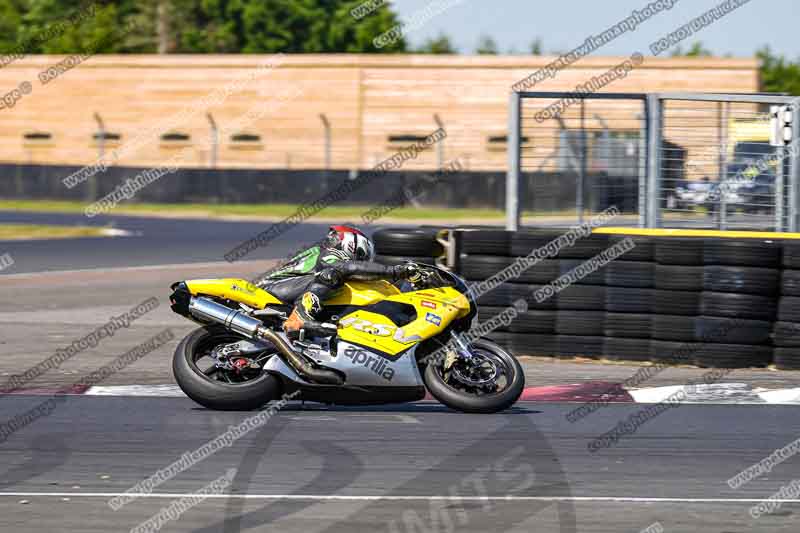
710 302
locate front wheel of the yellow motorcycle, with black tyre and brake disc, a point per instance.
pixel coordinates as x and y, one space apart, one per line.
490 381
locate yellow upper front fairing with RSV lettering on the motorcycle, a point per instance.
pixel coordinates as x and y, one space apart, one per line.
436 309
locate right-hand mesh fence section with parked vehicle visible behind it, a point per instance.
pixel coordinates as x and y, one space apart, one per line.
734 177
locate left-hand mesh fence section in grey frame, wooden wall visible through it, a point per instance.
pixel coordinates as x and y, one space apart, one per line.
580 156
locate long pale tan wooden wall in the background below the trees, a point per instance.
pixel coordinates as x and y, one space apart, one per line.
365 97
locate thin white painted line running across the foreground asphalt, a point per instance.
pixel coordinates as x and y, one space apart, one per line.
367 498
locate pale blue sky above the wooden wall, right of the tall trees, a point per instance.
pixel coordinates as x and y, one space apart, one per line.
563 25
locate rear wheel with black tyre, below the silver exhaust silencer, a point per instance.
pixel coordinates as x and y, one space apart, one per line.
212 387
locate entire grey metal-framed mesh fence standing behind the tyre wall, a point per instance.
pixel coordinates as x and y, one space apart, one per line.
664 160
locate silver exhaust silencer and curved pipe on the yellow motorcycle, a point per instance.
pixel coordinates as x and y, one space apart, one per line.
210 311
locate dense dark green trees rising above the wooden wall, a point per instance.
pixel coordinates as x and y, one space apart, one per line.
196 26
